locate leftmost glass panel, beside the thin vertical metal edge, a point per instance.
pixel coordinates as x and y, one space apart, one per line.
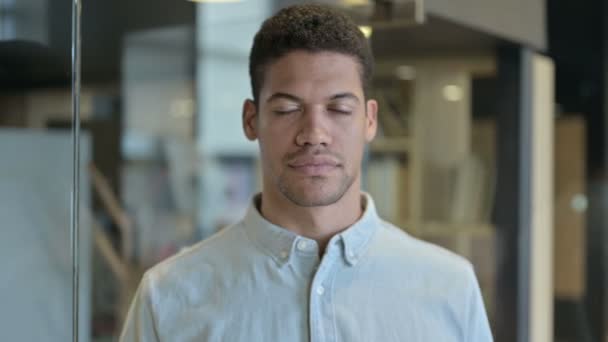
36 176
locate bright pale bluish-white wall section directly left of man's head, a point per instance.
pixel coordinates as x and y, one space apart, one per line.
224 37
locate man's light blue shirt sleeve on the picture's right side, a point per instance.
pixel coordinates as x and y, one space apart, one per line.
478 327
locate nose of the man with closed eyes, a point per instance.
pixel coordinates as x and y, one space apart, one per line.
313 128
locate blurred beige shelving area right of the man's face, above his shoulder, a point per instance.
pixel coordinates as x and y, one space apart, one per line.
438 144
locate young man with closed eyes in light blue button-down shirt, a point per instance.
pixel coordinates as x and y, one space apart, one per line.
311 260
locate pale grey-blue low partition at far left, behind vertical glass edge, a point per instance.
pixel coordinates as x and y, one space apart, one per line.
35 258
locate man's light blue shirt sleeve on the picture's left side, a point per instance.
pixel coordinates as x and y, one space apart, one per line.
140 324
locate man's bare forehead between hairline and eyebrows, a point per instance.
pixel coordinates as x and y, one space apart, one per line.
312 74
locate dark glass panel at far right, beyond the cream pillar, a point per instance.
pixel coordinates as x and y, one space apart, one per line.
581 182
